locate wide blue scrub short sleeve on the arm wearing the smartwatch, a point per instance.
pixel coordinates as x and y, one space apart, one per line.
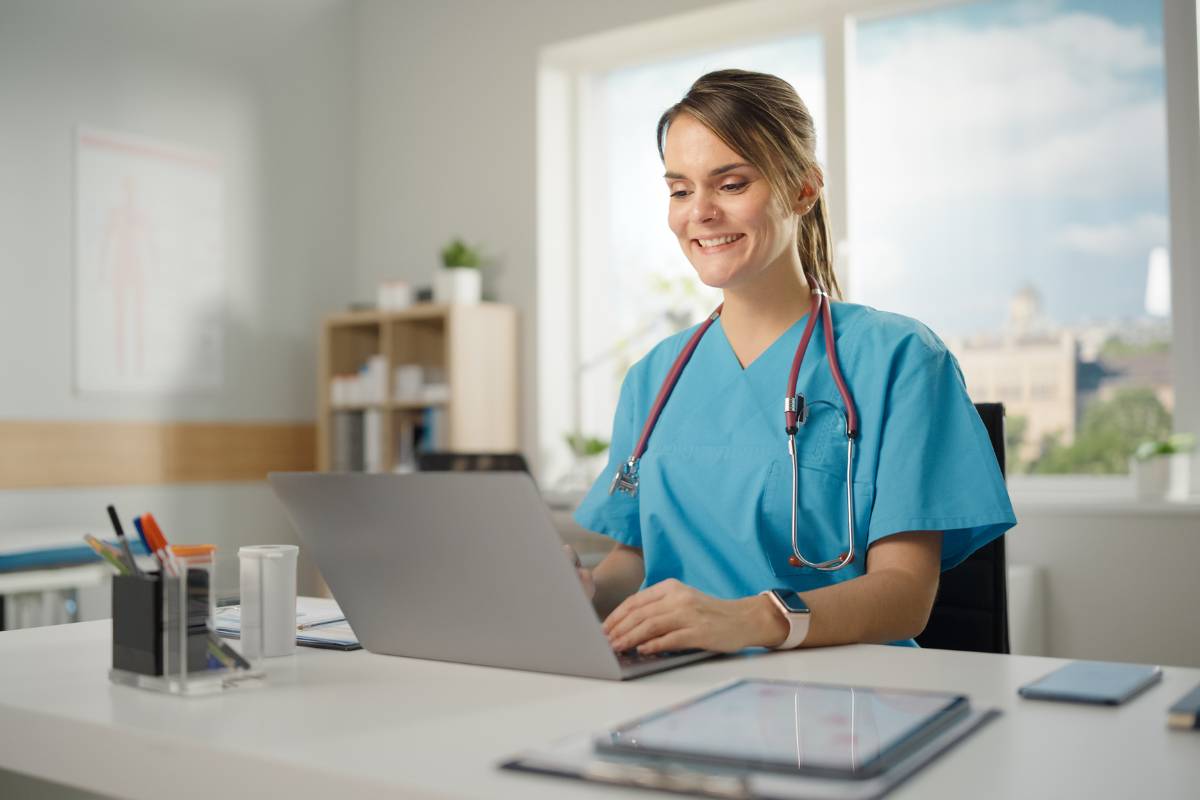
937 467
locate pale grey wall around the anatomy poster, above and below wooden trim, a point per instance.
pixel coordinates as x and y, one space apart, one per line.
266 86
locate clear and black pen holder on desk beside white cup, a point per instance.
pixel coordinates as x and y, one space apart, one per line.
164 639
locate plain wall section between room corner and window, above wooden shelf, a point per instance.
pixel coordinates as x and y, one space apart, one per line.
448 136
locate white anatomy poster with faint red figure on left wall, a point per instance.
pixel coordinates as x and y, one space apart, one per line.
149 266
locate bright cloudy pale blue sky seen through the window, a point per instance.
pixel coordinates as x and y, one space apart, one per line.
993 146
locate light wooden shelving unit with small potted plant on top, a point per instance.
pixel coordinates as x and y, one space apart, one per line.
475 346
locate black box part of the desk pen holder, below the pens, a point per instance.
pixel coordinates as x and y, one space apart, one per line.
139 617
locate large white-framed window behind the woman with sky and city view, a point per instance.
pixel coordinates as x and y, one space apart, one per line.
1005 169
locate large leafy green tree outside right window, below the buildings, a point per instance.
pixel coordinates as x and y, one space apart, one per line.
1108 436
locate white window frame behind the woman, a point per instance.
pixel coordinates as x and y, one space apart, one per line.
567 76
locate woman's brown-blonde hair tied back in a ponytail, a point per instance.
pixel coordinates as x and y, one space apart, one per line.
761 118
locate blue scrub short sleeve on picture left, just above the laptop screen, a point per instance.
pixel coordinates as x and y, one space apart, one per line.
615 515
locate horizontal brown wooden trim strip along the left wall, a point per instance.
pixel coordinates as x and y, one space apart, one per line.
58 454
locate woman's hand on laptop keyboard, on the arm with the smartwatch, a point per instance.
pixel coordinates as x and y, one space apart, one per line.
671 616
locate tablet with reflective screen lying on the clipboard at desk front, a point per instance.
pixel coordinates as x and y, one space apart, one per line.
791 727
